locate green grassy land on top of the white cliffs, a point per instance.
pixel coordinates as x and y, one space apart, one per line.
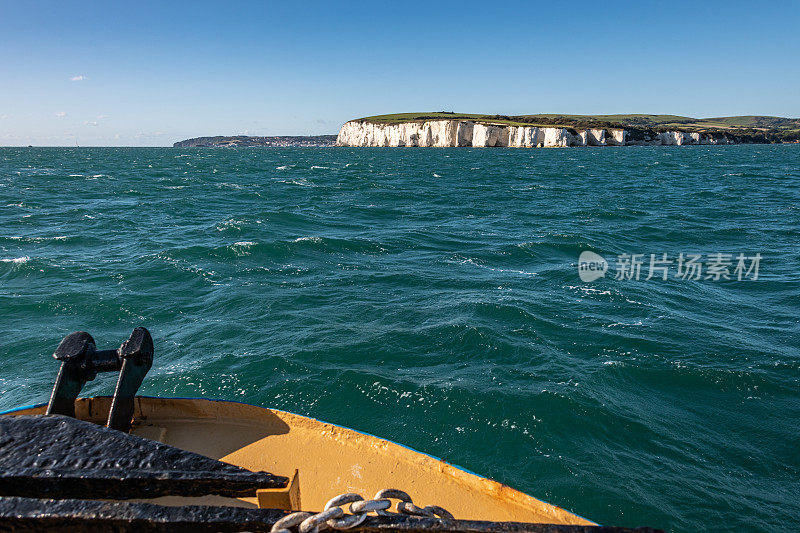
634 120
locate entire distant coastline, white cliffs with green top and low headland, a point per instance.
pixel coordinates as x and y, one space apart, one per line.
448 129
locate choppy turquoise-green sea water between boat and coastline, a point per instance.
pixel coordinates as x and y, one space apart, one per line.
432 297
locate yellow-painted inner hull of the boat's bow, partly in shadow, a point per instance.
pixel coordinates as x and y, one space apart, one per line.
330 459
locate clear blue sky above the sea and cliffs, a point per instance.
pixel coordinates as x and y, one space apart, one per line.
152 73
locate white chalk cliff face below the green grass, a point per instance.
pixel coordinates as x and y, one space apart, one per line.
443 133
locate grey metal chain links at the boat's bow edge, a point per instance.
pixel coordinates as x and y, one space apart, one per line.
333 515
